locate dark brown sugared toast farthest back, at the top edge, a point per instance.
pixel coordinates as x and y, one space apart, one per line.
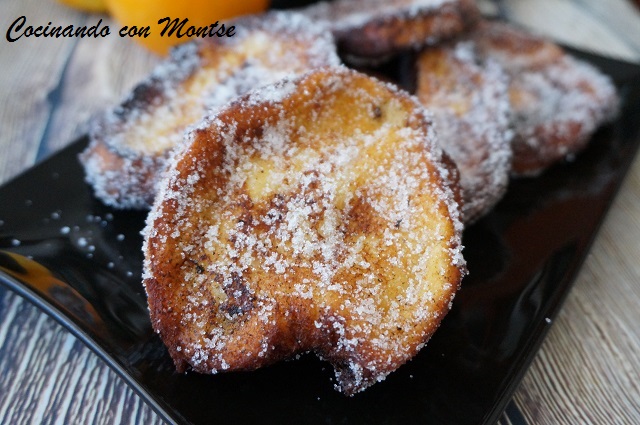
378 28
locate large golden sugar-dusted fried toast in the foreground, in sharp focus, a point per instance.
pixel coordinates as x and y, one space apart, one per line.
314 215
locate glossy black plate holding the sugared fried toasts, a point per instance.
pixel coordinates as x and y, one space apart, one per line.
86 265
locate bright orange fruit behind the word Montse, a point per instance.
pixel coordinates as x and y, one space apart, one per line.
143 13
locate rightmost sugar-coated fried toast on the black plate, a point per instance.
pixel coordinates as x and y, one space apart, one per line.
558 102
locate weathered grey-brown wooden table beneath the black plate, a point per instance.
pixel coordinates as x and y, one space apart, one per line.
586 371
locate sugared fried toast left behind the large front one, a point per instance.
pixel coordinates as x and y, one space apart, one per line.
130 145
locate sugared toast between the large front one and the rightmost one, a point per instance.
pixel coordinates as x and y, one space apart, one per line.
470 102
